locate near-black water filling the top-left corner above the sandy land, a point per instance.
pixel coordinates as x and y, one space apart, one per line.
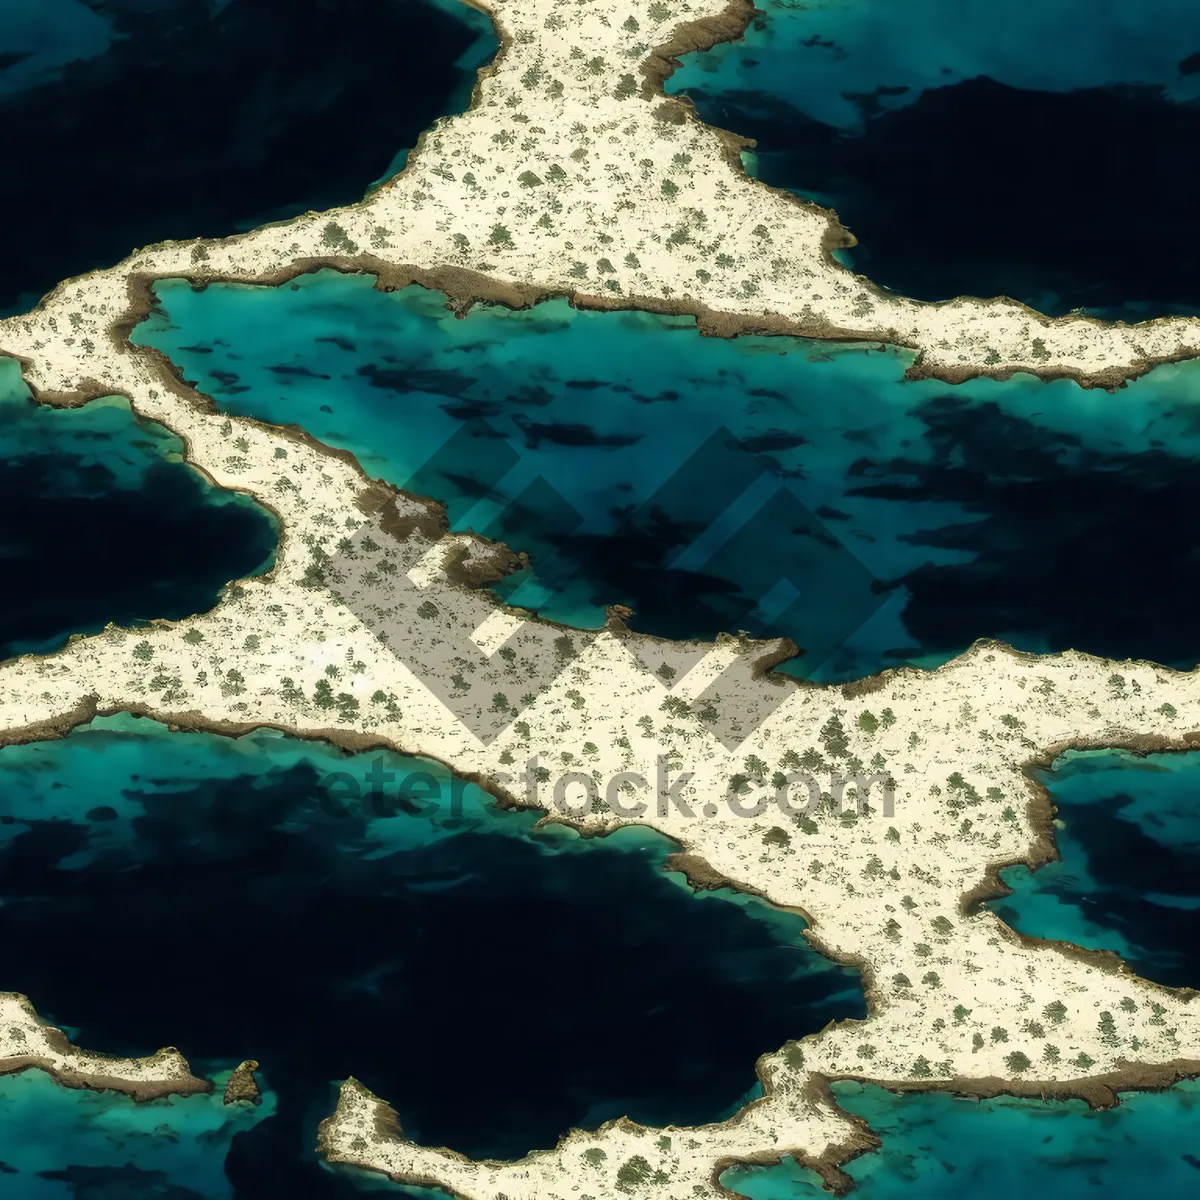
143 121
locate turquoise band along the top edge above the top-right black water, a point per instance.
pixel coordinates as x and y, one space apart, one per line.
825 57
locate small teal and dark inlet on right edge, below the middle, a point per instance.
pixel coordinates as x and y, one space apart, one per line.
1129 832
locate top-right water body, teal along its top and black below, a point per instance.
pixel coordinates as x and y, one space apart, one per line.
971 146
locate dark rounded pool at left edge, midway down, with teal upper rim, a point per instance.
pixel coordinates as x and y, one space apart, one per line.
101 521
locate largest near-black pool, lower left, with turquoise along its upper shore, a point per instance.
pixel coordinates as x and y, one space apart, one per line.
499 989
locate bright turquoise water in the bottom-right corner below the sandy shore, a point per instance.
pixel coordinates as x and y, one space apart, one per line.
939 1147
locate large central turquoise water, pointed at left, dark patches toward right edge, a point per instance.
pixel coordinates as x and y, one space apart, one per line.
765 484
